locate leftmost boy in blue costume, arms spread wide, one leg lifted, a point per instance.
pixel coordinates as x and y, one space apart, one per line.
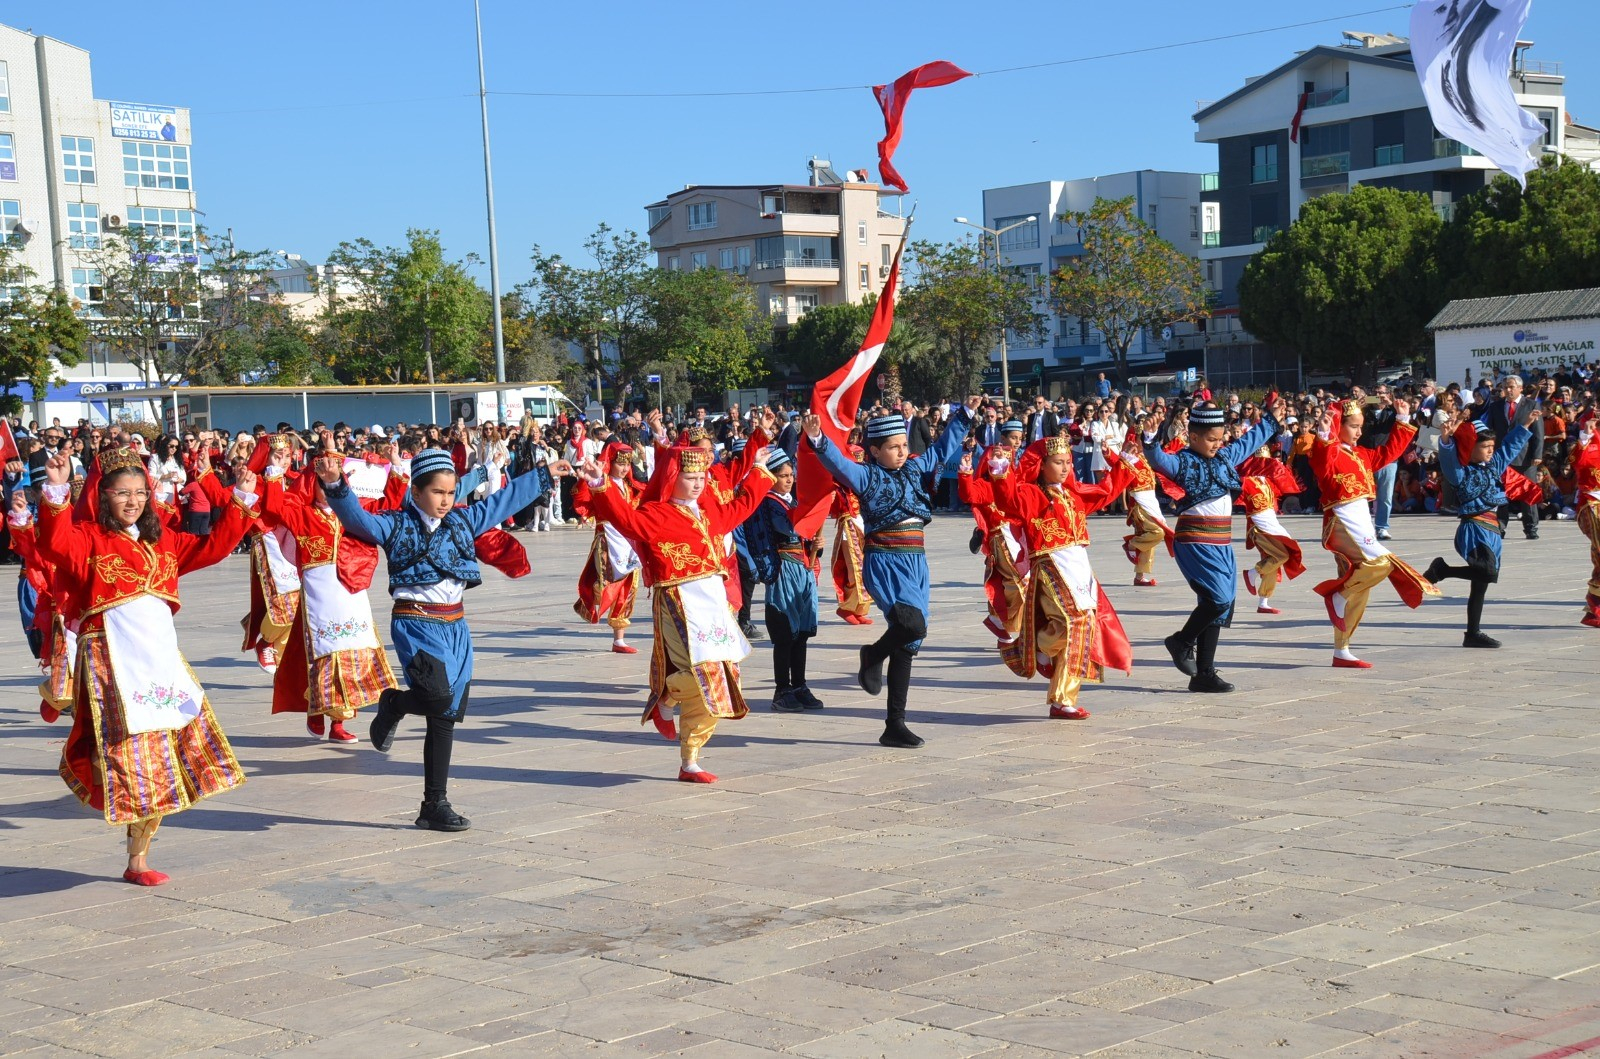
431 556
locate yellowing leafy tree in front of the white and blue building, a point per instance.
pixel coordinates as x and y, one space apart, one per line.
1129 279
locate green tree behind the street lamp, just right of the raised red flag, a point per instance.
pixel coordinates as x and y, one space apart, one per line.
962 303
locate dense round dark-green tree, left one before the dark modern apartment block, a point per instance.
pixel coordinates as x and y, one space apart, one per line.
1350 282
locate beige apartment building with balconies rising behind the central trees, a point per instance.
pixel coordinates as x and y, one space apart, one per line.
801 246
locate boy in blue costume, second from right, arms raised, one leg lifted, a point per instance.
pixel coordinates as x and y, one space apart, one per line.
1209 476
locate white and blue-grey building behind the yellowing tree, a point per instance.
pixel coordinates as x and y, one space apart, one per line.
1073 351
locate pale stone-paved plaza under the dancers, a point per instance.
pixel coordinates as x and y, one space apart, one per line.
1393 863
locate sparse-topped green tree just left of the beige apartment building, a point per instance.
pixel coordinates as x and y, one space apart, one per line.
606 306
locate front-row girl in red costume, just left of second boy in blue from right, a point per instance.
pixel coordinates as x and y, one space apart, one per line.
1070 631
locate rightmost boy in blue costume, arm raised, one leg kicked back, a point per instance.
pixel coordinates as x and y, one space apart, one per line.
1476 470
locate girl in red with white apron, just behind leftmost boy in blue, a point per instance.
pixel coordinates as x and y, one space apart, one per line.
334 663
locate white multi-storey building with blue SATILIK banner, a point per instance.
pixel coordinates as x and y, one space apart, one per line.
73 169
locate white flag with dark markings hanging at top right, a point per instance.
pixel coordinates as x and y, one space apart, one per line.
1463 54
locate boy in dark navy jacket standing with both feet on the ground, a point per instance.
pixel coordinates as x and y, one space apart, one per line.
785 564
